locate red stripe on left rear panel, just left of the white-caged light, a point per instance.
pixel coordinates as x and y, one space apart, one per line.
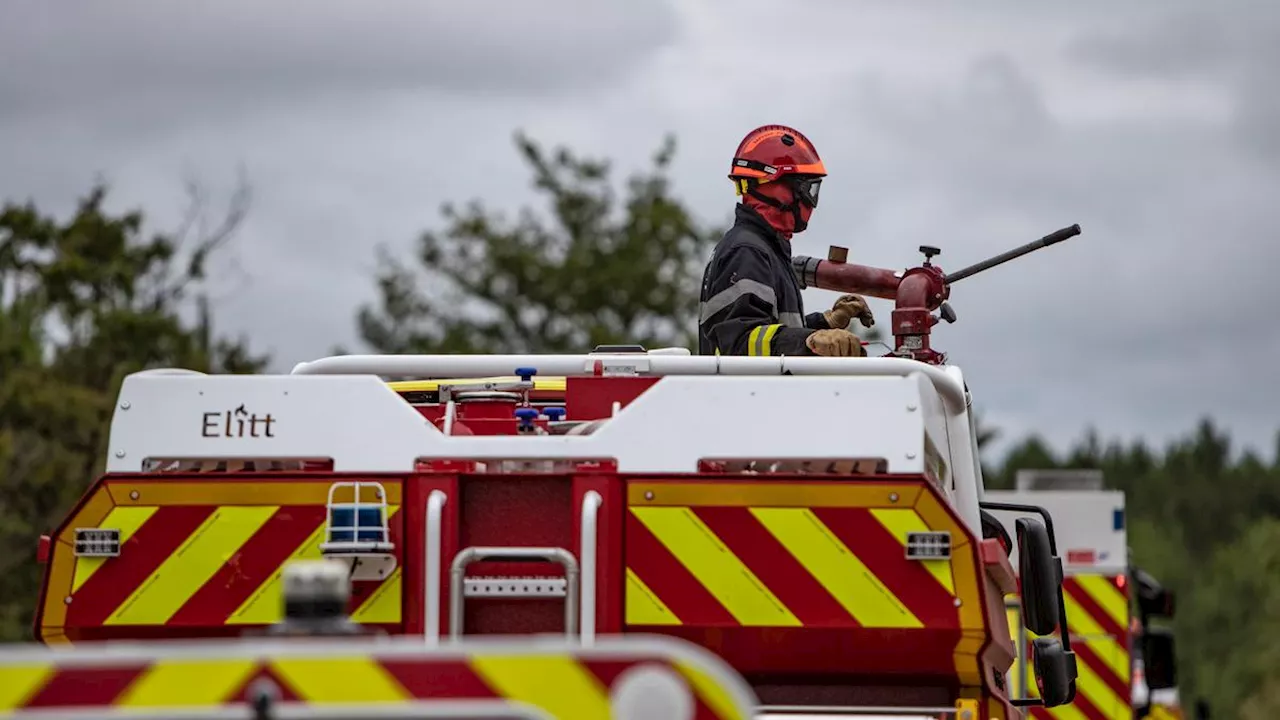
250 567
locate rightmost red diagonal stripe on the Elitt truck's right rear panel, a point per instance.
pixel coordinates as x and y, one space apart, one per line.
885 557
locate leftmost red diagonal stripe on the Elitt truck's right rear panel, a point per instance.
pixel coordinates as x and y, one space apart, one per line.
671 581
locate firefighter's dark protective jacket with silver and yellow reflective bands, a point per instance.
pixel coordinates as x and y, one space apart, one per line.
751 299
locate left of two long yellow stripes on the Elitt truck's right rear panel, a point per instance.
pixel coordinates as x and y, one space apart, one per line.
716 567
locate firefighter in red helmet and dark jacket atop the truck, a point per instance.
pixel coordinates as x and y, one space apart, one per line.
751 298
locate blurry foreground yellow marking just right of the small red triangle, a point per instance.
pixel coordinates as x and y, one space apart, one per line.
340 680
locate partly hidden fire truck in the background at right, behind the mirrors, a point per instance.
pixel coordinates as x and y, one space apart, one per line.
1127 668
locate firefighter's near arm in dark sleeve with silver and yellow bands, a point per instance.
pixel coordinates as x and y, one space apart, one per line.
742 315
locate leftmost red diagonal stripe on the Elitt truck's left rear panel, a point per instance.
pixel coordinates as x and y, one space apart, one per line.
149 548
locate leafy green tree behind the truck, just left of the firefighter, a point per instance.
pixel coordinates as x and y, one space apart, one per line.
605 270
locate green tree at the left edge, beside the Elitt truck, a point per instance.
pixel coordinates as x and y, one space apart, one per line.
85 302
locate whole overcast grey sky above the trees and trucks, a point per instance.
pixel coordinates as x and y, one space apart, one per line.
972 126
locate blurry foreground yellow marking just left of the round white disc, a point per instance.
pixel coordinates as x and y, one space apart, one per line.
555 683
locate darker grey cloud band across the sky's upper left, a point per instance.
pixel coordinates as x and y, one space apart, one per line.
220 56
